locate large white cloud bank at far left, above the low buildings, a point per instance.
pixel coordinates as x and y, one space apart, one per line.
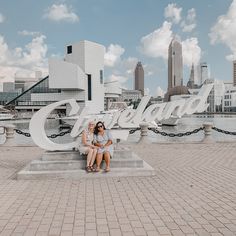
24 61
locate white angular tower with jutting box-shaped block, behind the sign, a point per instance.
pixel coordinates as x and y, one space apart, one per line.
80 75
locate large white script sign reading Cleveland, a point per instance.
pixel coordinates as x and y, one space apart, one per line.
128 118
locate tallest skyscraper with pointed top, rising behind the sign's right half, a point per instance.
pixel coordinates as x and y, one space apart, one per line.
175 64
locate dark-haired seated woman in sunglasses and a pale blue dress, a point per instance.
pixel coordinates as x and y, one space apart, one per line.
103 140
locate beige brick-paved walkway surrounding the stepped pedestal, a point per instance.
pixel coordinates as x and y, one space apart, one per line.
193 193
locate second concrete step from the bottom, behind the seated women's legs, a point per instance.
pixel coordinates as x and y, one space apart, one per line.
39 165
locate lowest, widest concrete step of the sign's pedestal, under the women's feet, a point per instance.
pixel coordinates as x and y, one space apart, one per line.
25 174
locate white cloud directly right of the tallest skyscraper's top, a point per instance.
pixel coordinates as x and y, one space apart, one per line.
191 51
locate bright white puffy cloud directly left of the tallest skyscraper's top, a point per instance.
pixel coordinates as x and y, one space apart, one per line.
156 43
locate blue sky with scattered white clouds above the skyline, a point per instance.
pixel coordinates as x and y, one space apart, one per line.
131 30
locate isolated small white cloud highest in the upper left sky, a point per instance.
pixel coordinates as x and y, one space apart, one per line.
61 12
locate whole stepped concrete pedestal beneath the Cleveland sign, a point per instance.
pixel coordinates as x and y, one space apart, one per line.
70 164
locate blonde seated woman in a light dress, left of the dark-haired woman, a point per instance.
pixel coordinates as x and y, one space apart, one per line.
87 146
